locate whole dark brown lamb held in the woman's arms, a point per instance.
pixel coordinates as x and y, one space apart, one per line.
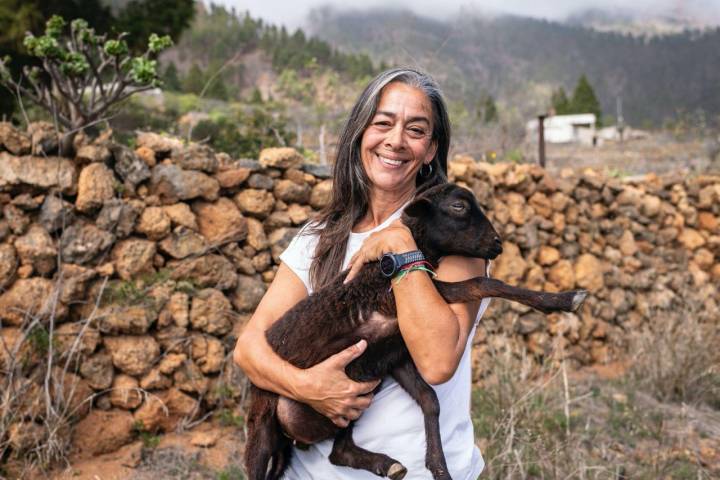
444 220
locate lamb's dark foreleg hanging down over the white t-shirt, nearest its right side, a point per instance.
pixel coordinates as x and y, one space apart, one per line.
409 378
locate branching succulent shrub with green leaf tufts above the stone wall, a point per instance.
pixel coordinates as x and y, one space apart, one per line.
82 75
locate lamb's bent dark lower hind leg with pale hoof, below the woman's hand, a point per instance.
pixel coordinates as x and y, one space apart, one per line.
346 454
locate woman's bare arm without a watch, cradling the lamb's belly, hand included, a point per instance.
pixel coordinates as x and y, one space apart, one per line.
325 387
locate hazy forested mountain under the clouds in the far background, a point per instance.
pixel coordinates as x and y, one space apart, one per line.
521 60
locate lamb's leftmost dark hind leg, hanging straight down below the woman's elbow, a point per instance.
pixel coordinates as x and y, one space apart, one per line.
263 434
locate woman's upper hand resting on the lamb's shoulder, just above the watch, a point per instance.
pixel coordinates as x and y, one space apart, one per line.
396 238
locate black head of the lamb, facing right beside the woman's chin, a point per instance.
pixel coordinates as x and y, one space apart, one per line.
446 220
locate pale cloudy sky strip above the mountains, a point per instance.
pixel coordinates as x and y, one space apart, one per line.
293 13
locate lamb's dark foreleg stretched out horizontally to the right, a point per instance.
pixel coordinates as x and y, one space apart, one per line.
483 287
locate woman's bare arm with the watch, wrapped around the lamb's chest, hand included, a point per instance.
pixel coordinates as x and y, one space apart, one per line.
434 331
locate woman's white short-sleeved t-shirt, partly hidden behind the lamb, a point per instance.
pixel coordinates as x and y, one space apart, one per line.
393 424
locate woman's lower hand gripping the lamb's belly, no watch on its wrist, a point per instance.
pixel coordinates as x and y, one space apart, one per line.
328 390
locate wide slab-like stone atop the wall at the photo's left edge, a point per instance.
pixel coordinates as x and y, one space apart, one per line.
42 173
